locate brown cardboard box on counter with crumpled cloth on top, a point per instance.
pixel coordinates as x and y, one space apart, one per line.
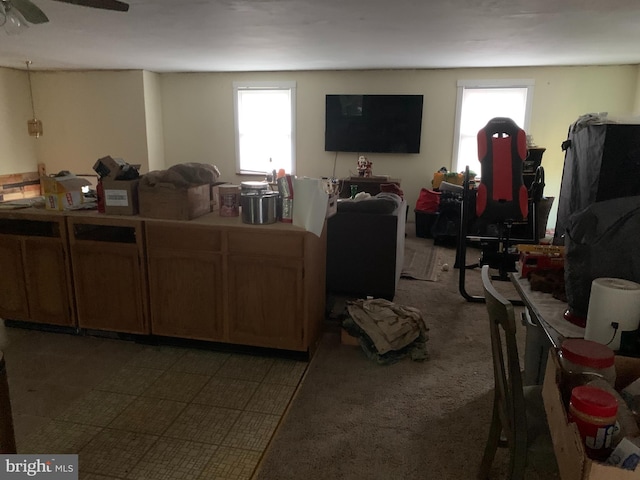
174 204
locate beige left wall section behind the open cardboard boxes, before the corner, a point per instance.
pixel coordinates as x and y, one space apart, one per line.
88 115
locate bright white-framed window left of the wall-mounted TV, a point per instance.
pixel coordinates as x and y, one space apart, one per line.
265 126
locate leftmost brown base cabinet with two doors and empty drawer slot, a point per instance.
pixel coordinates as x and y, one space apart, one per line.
35 275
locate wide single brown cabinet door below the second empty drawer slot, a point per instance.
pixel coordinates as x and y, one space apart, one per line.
108 283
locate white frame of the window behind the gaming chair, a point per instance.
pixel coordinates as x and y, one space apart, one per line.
488 83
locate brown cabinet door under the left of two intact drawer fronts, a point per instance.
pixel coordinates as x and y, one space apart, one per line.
186 294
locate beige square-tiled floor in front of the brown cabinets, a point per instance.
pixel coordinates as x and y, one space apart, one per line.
135 411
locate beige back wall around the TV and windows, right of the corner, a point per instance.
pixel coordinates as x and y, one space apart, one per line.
198 116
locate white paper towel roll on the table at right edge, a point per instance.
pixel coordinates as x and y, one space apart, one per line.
612 300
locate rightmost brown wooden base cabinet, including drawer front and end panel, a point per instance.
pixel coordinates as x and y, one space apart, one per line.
276 288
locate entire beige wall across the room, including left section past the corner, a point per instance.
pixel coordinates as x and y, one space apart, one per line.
162 119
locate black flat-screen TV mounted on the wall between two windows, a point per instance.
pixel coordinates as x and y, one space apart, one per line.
373 123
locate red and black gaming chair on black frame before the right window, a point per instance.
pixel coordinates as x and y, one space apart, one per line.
501 199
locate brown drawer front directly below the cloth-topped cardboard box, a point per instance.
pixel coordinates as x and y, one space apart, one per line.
183 238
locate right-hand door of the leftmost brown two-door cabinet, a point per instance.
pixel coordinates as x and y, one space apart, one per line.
47 281
